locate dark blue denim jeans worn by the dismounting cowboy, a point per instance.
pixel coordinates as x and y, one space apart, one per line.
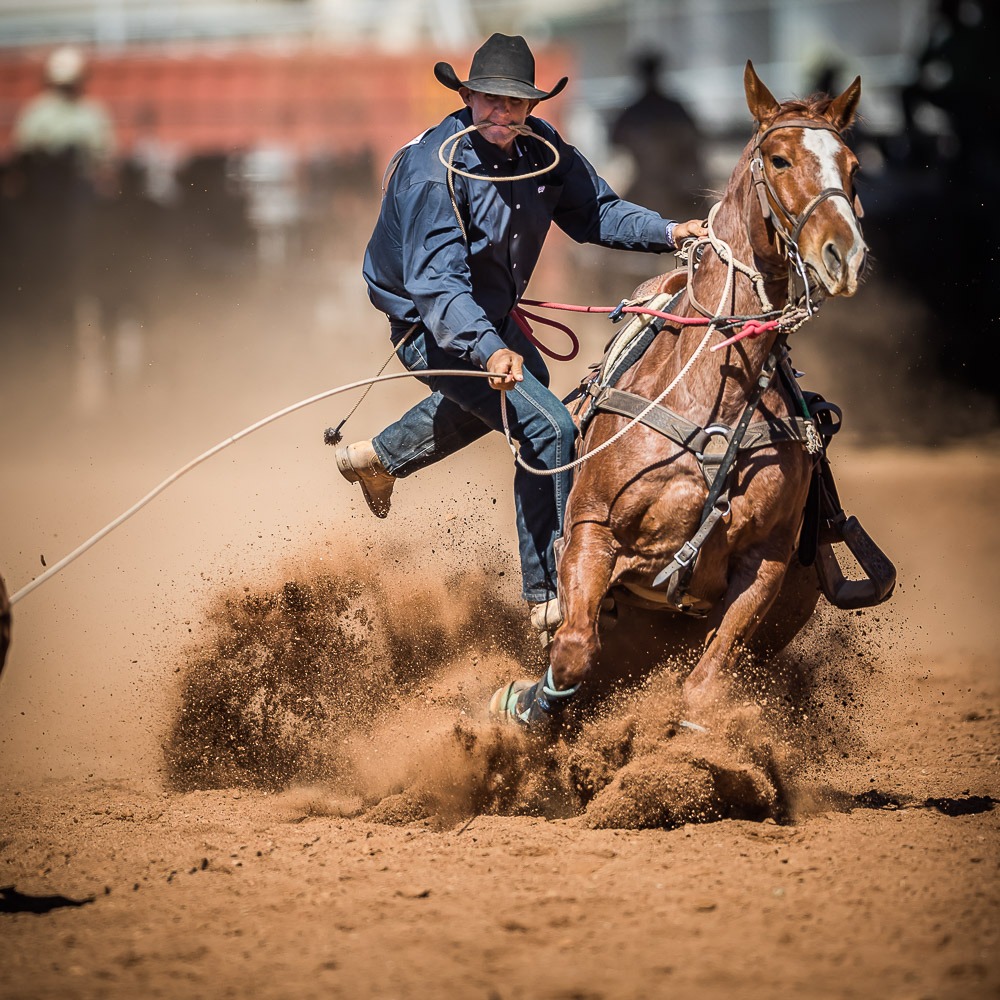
460 411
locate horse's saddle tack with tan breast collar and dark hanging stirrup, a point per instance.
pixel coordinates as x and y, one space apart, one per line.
824 524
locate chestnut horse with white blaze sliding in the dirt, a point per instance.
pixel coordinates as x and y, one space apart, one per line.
638 523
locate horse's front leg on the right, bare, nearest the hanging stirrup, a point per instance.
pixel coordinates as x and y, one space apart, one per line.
753 585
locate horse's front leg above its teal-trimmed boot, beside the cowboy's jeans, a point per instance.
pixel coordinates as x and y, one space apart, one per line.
584 579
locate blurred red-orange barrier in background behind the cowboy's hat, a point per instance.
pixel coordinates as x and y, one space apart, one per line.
313 102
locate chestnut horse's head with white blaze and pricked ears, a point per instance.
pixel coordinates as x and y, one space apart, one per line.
803 173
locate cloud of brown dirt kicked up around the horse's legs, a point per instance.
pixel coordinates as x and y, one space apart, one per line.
358 687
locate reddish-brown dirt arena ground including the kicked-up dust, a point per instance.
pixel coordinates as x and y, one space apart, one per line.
840 841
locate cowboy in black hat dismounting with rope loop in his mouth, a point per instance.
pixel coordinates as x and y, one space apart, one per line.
451 255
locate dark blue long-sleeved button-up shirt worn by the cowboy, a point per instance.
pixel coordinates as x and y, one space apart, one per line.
418 265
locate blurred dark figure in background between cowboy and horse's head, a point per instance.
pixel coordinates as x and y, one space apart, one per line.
664 144
